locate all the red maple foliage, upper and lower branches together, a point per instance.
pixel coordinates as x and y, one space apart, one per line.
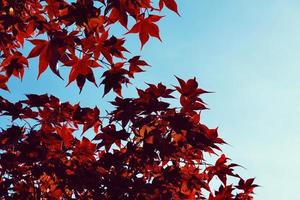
143 149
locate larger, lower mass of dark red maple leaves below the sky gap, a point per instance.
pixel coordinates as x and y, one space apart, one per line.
143 149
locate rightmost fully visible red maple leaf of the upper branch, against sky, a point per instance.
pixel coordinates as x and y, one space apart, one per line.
146 28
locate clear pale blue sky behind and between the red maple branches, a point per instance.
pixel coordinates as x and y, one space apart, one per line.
248 53
